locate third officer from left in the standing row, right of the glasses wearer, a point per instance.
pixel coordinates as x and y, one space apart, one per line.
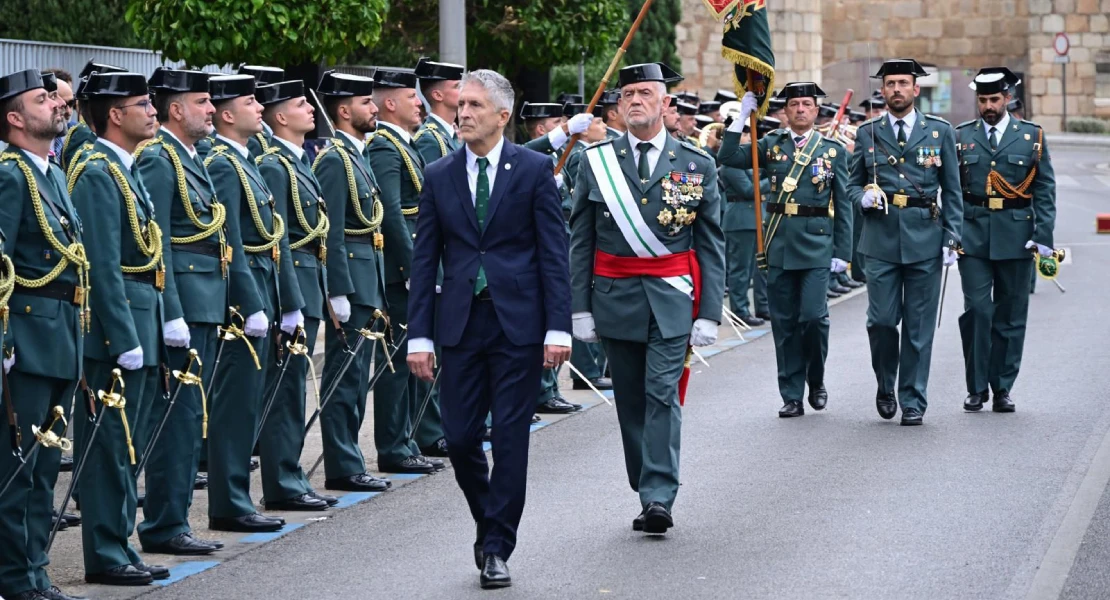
200 258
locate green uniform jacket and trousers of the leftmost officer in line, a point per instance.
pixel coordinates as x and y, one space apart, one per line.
46 333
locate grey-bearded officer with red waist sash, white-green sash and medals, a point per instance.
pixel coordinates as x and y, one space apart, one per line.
643 206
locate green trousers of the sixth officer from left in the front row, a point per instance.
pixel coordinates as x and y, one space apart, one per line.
342 419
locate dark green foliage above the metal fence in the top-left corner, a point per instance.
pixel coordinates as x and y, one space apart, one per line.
67 22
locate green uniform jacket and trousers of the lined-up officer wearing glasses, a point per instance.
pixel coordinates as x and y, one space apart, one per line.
126 300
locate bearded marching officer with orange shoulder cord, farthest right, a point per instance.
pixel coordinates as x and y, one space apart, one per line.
1010 212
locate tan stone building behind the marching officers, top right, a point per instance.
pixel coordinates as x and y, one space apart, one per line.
829 42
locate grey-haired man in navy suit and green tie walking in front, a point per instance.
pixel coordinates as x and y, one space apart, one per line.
491 213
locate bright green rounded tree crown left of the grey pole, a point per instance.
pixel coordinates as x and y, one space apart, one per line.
264 32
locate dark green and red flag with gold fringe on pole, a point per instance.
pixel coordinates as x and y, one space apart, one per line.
746 43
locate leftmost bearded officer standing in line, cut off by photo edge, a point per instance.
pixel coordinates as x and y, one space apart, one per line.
44 342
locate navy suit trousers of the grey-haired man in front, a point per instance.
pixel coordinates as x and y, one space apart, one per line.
487 374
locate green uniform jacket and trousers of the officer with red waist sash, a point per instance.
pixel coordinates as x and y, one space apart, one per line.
633 314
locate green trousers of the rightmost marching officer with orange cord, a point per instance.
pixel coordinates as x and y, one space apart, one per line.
993 327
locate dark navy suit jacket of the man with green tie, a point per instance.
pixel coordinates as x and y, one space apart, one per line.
524 251
